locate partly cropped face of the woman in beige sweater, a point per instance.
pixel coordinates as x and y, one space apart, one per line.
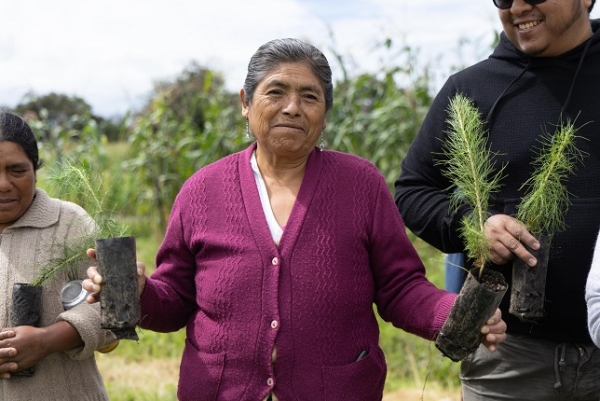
17 183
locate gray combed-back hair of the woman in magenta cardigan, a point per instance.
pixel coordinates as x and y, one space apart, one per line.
278 51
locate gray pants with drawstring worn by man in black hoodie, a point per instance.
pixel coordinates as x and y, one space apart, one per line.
526 369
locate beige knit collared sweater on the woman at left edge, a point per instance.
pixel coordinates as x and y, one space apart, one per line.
40 234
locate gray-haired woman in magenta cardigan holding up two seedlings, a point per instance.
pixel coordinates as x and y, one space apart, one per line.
274 256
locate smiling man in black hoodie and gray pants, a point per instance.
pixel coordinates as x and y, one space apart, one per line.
545 70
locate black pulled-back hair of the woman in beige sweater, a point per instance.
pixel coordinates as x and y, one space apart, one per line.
13 128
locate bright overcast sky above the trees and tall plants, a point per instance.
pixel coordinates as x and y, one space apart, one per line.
110 52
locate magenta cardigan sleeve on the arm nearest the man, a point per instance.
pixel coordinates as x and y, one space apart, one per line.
404 296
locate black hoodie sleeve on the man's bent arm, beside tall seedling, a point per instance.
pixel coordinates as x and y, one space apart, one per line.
421 190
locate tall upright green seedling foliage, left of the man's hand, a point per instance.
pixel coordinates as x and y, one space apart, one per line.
468 165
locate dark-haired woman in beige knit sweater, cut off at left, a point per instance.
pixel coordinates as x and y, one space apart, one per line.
33 229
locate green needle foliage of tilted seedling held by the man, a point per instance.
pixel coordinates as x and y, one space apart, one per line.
543 207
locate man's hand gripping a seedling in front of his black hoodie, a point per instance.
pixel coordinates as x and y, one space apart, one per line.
507 237
